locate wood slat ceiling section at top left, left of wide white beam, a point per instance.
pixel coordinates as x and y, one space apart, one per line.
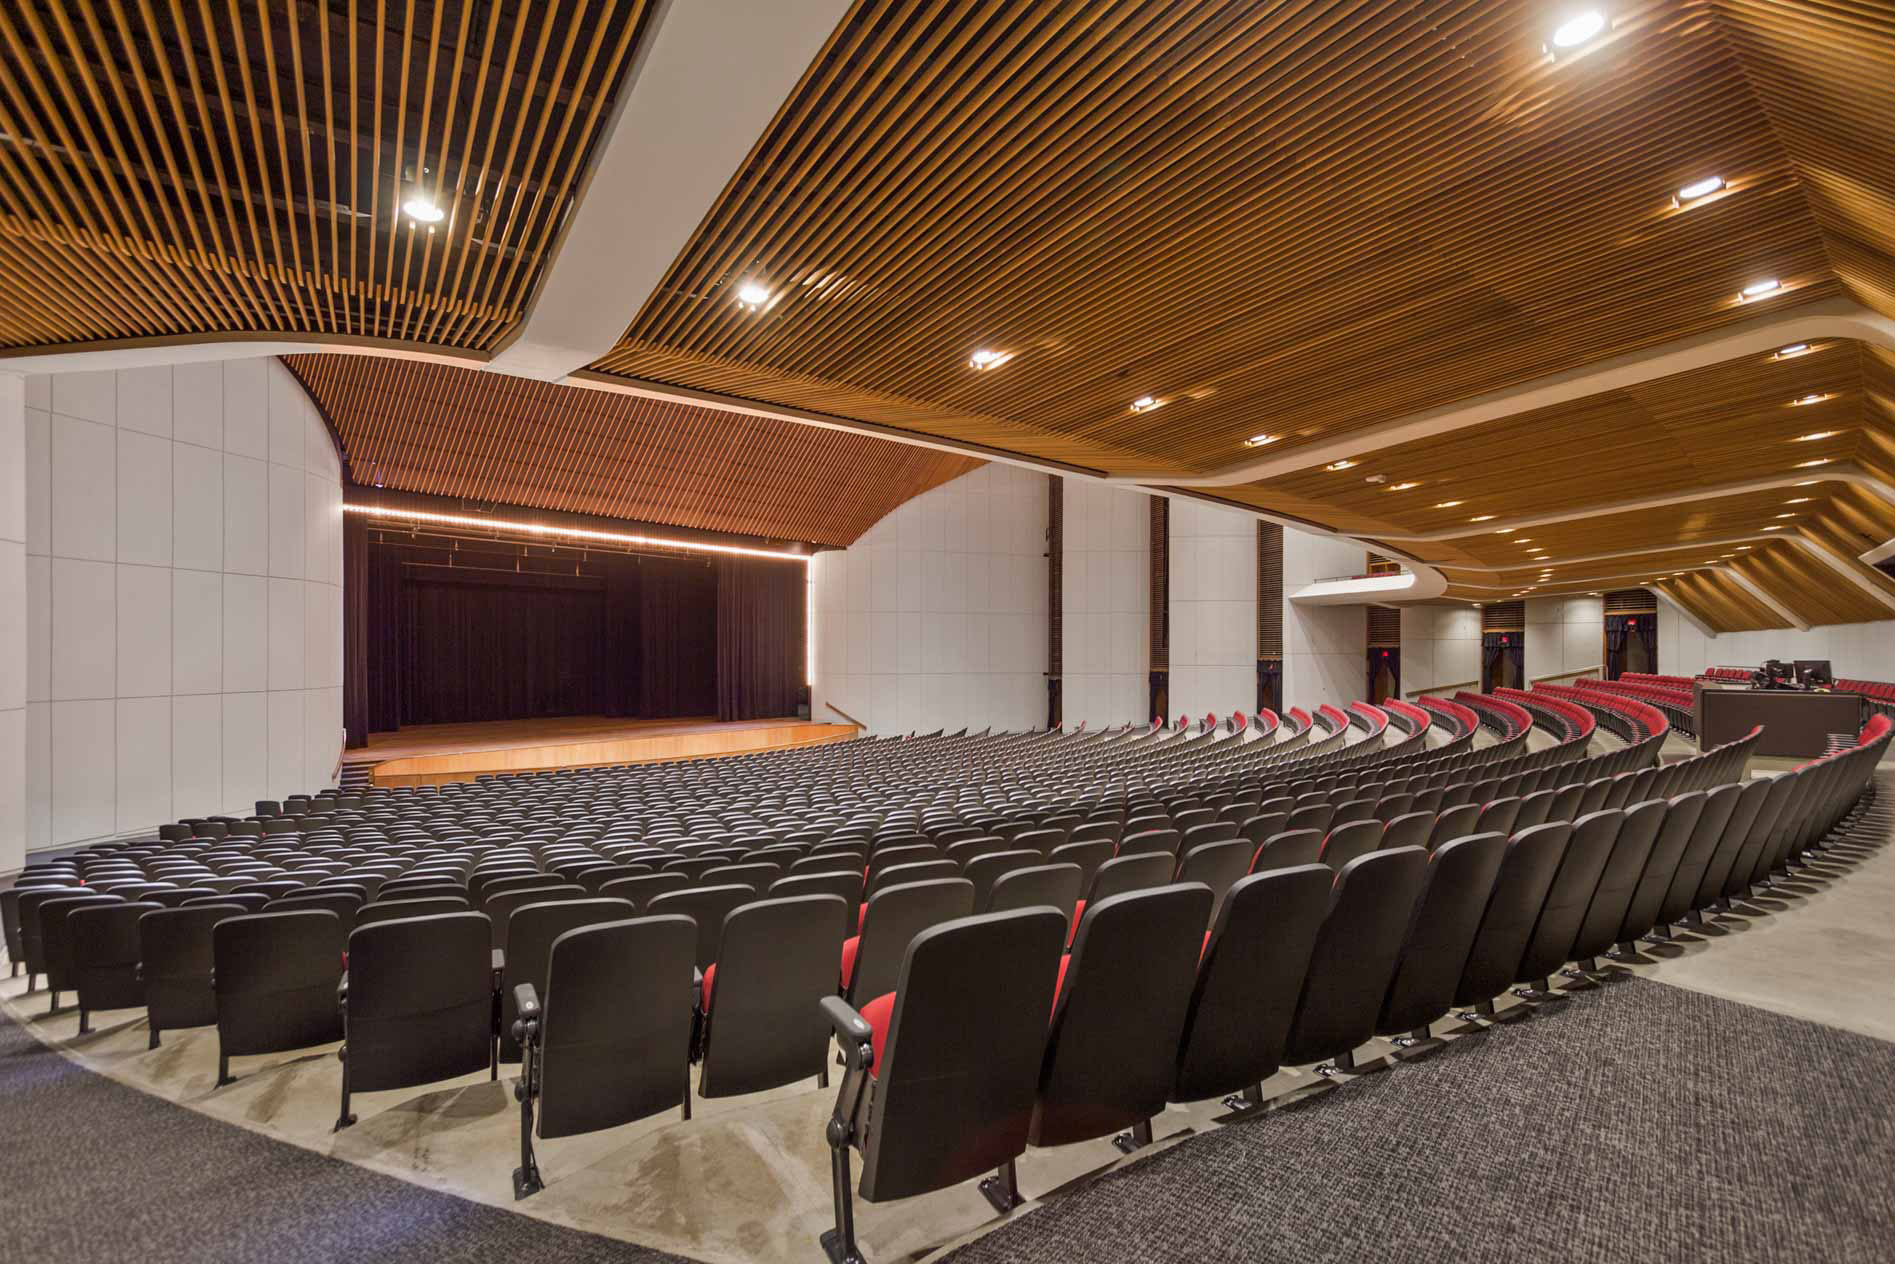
240 170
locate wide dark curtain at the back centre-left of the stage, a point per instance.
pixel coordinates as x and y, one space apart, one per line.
501 647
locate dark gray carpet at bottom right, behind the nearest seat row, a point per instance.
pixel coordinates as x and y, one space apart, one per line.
1640 1123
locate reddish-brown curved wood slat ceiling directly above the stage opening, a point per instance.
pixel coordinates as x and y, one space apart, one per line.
486 437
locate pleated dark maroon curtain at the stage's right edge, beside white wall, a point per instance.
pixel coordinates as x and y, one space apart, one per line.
759 638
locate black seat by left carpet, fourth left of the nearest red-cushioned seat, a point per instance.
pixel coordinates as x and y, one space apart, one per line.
276 983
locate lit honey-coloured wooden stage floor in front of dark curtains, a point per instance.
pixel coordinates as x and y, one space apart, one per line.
435 753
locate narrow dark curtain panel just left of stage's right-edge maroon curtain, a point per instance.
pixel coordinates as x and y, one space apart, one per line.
677 640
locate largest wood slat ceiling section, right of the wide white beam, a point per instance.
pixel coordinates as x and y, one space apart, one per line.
1290 219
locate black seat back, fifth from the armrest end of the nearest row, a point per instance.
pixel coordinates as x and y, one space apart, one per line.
1460 882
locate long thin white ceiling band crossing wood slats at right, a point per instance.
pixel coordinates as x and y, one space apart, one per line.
1818 321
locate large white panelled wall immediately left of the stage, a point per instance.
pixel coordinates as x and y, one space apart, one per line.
183 596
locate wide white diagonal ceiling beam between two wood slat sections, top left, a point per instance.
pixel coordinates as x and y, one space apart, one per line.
702 92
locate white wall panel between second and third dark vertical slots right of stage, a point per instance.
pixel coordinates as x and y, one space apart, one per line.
1214 609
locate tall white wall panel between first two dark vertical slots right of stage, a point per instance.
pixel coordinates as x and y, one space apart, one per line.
1104 598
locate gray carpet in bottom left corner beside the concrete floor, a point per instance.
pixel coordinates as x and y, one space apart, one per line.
92 1170
